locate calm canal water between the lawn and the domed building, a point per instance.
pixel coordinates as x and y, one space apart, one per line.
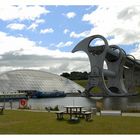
113 103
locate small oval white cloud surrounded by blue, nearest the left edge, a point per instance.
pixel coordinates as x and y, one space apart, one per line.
16 26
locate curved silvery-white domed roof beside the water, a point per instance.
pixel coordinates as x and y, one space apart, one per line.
16 80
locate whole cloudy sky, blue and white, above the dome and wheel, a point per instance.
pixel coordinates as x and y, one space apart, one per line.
42 36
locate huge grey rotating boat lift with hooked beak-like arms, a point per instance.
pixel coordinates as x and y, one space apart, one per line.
122 75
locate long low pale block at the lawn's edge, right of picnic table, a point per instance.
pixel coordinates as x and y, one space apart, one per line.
110 112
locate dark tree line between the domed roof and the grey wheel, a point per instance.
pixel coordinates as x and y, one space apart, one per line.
75 75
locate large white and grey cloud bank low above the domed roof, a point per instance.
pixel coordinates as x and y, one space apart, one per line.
20 52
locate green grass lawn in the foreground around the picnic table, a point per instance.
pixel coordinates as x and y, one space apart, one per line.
25 122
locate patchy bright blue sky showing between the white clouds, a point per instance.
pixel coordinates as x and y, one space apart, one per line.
58 21
